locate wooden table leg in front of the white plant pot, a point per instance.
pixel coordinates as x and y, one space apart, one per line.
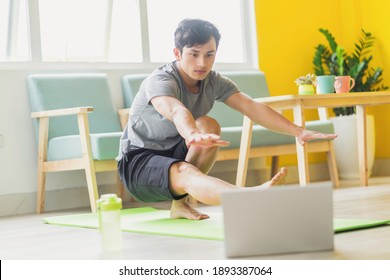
361 126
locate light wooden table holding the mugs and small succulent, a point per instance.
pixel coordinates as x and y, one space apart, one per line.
299 103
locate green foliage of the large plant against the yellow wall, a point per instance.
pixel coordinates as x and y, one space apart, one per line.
333 60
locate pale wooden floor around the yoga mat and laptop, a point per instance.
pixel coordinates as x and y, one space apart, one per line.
27 237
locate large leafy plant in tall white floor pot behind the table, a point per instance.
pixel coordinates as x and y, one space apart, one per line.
334 60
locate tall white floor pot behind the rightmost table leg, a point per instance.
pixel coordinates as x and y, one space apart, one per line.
346 148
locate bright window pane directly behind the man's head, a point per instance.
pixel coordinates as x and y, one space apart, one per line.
162 25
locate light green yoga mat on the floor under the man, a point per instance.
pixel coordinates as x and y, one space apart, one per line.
148 220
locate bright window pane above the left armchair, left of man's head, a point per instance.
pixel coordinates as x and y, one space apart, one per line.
90 30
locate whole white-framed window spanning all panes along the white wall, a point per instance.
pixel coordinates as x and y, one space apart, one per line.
130 32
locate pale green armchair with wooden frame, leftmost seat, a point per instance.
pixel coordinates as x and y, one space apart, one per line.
84 128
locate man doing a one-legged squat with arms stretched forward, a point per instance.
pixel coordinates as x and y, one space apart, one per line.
170 144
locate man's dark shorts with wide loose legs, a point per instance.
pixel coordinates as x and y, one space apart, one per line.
145 173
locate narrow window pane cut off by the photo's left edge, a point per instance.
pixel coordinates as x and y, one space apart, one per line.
14 38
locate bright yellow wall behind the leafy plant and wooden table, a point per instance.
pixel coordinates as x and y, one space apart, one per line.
288 33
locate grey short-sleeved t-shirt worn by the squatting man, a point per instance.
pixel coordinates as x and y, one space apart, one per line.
148 129
